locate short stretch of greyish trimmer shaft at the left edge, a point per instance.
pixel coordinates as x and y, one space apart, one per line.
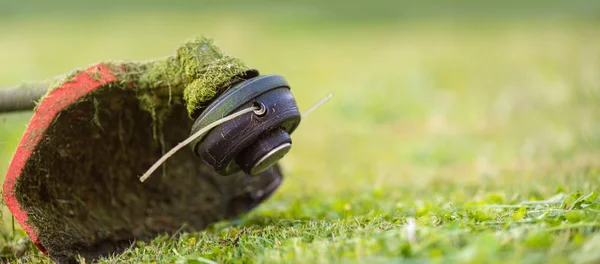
21 98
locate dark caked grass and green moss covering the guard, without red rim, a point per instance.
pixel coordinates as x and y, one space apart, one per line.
80 186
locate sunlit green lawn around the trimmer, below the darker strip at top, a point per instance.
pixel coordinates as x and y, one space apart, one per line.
445 141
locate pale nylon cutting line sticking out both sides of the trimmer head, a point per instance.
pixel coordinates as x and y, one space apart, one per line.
212 125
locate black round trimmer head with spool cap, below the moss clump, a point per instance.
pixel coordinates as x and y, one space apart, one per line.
245 142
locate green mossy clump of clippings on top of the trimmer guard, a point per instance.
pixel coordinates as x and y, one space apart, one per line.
198 71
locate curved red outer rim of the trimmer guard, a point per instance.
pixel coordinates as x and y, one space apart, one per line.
69 92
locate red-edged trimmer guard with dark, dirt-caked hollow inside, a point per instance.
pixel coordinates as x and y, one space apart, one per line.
73 183
